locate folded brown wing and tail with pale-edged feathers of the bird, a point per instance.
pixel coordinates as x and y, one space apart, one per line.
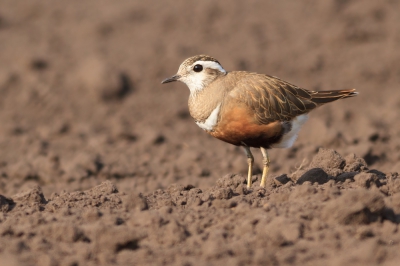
273 99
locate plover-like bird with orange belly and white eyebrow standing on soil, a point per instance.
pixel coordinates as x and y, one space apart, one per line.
248 109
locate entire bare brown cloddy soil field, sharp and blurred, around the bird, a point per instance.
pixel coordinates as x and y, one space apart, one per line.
100 164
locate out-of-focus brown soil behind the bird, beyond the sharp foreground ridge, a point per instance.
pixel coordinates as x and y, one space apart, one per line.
81 99
